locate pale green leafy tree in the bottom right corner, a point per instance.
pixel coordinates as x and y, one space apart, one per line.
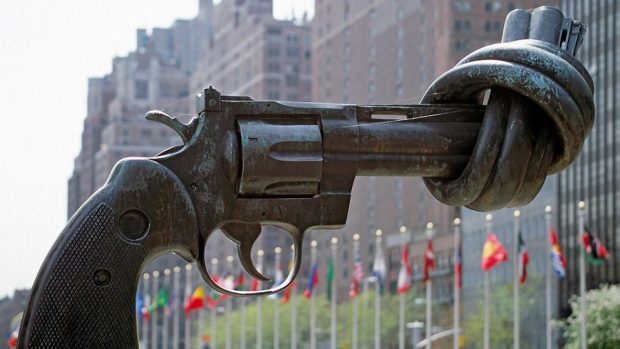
602 319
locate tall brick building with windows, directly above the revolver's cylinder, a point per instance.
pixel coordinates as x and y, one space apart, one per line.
253 54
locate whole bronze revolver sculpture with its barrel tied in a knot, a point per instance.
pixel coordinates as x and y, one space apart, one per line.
486 135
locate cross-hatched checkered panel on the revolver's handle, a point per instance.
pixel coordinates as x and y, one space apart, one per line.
95 322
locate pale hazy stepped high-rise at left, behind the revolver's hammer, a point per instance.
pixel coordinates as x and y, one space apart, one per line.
154 76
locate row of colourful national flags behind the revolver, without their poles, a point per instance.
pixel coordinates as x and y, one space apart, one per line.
493 253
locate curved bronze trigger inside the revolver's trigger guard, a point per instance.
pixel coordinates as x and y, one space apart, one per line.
245 235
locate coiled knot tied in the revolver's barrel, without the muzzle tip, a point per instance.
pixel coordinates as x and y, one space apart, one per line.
538 113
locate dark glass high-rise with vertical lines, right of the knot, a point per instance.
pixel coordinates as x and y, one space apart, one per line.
594 177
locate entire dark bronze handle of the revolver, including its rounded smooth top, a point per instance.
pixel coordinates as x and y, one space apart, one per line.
84 294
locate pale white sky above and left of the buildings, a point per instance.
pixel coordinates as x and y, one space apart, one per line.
49 49
